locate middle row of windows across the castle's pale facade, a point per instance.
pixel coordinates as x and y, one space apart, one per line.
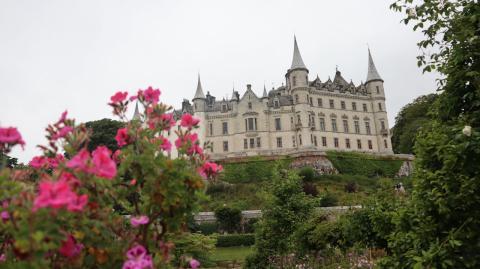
251 125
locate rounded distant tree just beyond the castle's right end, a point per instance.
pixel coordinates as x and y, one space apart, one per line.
409 121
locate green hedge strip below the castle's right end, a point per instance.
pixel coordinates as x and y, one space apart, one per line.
364 164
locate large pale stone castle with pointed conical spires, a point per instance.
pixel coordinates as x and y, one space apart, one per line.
301 116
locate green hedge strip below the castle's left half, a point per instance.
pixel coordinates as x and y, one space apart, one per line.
252 170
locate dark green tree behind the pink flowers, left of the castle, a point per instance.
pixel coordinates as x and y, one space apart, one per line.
103 133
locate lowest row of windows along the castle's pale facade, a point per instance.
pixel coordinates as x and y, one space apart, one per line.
256 142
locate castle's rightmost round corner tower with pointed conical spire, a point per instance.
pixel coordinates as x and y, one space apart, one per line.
374 85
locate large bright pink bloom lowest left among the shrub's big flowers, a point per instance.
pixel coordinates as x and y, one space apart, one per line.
53 194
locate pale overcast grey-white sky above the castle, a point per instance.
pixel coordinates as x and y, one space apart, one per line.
57 55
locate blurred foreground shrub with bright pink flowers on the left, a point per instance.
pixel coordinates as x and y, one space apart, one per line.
103 209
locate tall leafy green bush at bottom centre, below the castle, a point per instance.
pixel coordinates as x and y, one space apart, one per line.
287 207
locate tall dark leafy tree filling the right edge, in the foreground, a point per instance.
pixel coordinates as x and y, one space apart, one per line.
439 226
